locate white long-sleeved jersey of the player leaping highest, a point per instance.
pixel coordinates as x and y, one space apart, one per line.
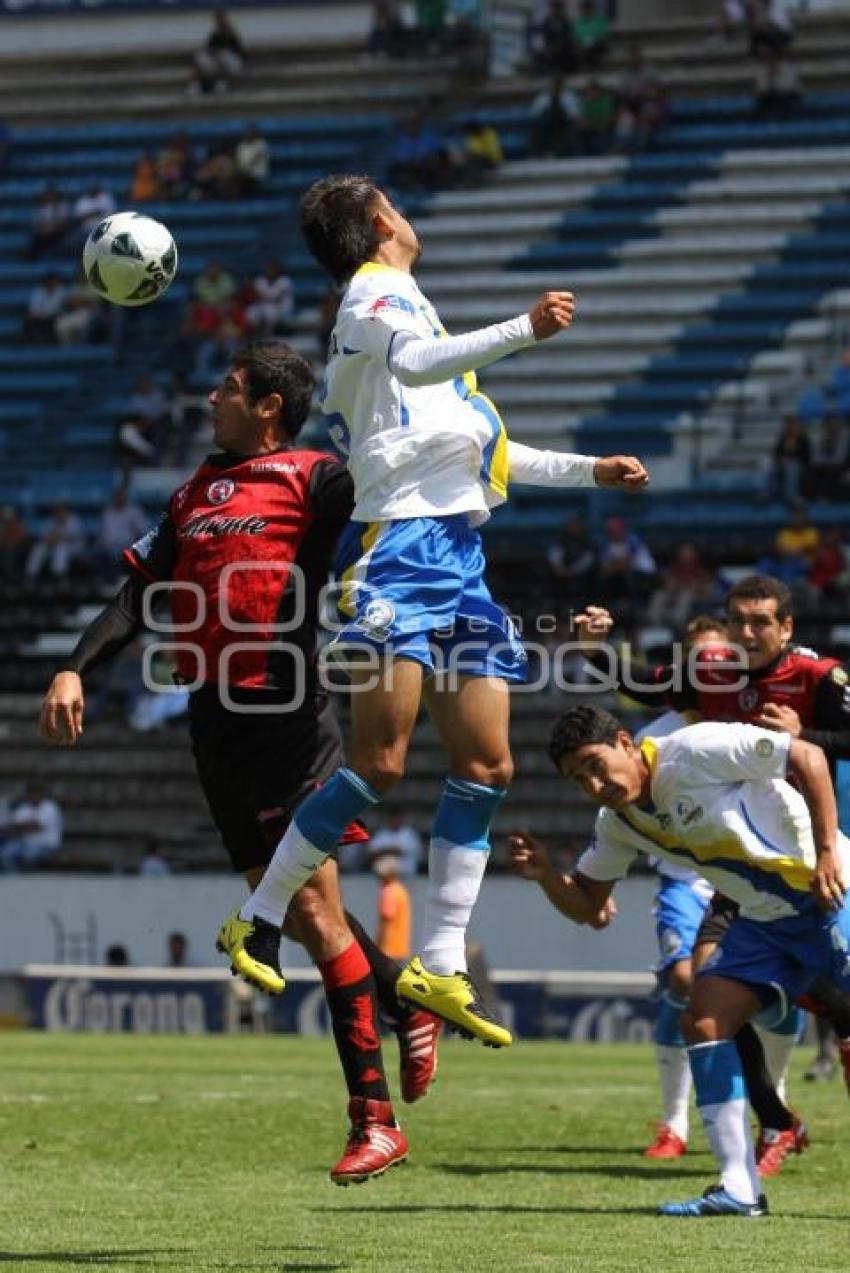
424 442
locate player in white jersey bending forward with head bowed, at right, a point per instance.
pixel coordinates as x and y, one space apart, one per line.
716 798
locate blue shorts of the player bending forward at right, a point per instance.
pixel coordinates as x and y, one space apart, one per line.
786 955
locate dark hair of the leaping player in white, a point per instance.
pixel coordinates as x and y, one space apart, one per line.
337 223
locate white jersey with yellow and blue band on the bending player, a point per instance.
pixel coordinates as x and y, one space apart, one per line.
721 803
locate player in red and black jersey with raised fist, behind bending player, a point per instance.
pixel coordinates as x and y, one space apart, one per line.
765 680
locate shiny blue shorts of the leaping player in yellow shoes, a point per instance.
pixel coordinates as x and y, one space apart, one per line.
415 589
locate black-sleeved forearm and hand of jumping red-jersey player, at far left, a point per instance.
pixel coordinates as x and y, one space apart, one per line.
64 705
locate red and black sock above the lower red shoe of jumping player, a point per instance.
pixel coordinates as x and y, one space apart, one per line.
353 1002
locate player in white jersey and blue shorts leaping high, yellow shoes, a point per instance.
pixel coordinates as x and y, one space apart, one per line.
429 458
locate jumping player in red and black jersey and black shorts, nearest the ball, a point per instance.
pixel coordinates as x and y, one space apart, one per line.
244 552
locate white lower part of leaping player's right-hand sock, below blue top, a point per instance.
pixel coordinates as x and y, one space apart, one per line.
455 882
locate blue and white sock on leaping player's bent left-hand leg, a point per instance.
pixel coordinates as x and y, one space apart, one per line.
310 840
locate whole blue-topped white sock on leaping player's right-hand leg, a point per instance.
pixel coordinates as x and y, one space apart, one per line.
457 860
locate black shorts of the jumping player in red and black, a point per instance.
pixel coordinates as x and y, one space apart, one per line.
255 770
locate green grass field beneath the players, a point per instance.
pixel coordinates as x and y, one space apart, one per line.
213 1153
